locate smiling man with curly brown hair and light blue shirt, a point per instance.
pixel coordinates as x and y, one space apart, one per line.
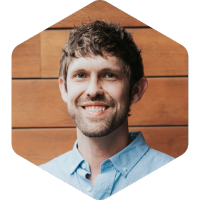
101 75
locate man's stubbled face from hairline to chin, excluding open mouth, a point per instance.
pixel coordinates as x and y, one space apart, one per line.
97 79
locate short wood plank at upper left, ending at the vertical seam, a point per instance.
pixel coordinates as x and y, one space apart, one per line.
26 58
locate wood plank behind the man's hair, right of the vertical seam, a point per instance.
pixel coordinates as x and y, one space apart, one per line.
162 56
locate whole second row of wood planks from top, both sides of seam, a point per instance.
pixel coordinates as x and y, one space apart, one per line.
162 56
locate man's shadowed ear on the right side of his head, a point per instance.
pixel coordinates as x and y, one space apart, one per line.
139 89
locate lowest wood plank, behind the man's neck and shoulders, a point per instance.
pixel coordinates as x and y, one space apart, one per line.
39 146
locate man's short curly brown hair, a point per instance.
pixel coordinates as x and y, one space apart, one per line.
103 38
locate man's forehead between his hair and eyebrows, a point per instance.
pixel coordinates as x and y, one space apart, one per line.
96 63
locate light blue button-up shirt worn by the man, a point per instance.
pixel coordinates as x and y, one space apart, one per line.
117 172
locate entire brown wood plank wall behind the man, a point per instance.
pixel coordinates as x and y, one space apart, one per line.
41 126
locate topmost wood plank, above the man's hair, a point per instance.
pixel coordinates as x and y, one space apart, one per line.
98 10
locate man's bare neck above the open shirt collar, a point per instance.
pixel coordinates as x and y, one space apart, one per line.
96 150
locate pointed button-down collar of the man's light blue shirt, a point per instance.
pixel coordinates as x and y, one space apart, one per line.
124 160
